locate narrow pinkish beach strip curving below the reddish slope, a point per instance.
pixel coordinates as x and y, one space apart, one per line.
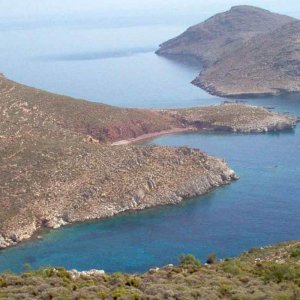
151 135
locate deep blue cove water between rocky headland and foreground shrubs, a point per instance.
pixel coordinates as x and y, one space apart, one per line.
261 208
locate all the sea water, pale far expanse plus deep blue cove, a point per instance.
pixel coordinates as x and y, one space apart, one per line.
113 62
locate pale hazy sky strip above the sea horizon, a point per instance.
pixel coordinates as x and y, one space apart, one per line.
32 9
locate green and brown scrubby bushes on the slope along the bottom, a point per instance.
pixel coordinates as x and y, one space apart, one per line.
268 273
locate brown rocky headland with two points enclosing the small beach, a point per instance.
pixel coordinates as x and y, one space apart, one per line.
58 165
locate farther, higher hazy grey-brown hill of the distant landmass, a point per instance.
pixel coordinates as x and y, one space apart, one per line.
223 33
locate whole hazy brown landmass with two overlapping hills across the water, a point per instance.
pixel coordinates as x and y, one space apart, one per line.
245 52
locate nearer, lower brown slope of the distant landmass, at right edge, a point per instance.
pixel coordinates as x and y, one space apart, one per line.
268 64
